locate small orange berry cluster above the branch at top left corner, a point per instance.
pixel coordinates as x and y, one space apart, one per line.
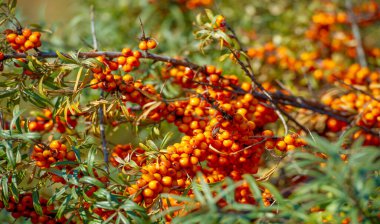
23 41
